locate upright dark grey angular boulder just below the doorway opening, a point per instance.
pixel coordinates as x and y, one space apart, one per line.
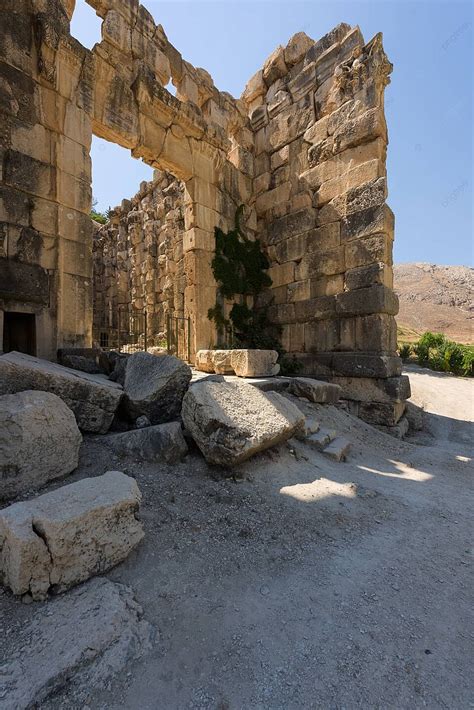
155 386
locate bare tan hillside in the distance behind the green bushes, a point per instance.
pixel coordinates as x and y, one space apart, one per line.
436 298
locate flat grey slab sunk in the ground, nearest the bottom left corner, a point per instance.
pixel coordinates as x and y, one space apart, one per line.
81 640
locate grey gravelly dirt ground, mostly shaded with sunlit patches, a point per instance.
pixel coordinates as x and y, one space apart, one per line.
304 583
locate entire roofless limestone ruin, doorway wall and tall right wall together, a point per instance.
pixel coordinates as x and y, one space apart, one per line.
303 149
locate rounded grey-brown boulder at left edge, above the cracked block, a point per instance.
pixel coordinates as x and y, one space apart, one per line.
39 441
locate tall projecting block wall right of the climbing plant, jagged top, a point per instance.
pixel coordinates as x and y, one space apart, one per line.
320 137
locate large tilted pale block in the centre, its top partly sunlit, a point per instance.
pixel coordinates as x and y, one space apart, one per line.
231 421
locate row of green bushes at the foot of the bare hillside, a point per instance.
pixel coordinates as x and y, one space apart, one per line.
436 351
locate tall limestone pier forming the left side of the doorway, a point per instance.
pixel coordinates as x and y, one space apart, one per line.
45 231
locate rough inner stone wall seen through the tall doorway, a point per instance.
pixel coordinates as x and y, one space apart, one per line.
139 259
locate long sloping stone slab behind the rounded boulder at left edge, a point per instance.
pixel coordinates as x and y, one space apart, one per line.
92 398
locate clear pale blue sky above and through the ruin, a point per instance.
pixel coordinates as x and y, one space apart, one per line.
428 103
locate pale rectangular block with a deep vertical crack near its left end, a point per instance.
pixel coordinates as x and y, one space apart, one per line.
53 542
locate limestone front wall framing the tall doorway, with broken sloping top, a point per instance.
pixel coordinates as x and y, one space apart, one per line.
55 95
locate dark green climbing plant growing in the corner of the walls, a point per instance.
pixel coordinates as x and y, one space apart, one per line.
240 269
